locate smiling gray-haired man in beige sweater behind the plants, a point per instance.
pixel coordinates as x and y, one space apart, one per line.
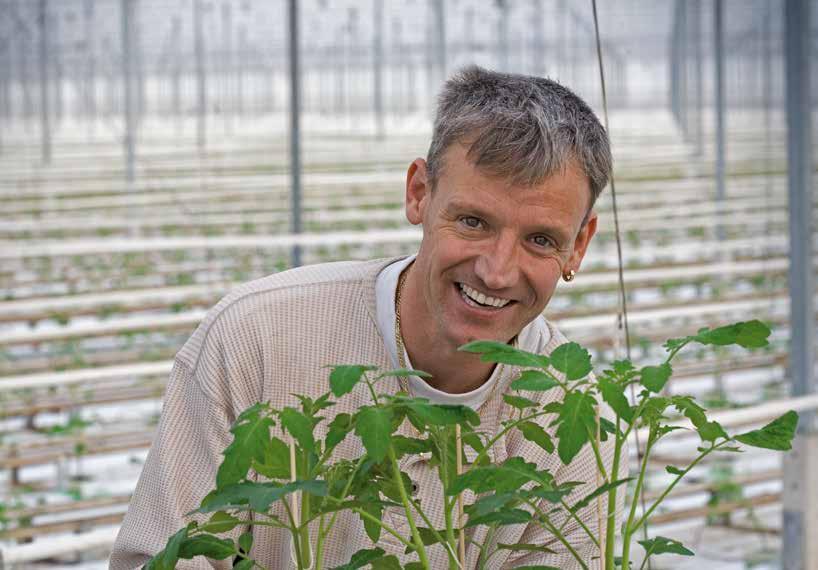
505 200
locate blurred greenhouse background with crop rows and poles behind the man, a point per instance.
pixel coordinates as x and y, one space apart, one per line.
155 153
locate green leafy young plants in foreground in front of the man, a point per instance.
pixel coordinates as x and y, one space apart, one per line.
278 454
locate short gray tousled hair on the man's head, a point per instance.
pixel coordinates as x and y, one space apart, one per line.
518 127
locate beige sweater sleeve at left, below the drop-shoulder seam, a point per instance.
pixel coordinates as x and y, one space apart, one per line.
180 469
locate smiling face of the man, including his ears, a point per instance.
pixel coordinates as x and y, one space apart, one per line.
492 252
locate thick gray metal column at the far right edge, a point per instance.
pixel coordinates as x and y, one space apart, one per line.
800 498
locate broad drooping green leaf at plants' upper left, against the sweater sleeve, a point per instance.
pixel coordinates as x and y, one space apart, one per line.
251 434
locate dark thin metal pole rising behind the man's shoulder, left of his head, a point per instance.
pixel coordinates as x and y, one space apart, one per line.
295 131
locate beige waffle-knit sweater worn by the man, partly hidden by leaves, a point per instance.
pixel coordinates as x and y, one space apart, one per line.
271 338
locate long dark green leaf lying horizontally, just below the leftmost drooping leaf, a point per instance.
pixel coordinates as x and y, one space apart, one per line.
258 496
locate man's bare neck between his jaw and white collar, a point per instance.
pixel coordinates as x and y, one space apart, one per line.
452 371
